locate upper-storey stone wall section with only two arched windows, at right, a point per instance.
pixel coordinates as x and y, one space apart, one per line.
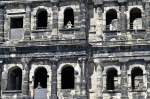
118 22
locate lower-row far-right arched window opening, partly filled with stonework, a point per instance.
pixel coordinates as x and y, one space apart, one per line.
136 77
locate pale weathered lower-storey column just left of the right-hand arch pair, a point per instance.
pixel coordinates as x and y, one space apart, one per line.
99 80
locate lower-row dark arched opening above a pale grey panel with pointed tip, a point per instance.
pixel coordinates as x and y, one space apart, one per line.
40 77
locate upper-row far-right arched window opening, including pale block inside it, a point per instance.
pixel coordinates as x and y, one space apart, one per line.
135 18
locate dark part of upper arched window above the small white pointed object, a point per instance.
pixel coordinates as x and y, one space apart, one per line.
69 16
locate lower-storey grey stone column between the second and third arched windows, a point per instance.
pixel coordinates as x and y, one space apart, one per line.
54 80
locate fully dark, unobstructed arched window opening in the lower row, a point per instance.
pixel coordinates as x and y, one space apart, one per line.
67 78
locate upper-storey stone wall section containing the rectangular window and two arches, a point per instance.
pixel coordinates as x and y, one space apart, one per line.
38 20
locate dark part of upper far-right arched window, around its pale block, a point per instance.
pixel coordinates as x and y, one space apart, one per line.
134 14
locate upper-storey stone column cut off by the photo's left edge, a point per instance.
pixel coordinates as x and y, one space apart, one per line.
1 23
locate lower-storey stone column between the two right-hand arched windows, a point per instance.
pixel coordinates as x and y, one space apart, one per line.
124 82
